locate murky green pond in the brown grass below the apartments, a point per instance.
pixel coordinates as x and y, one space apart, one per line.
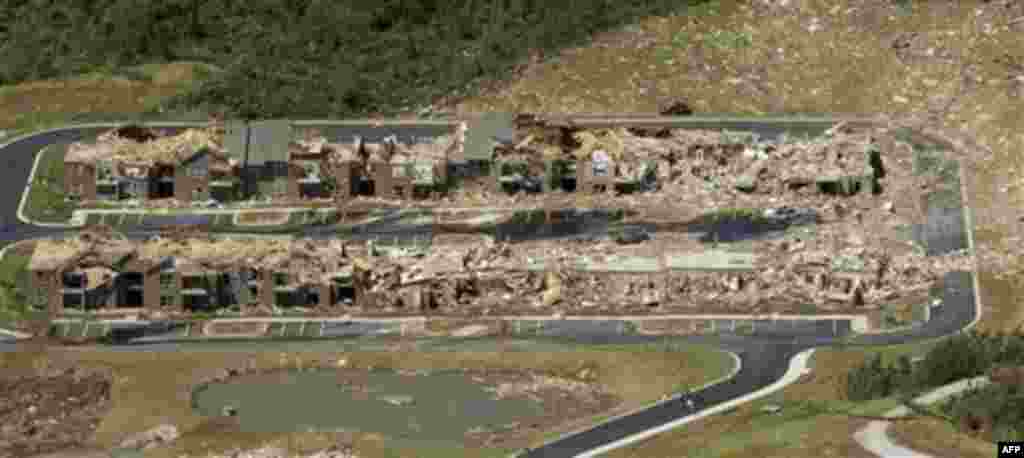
441 406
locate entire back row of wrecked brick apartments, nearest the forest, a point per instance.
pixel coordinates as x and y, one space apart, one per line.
219 163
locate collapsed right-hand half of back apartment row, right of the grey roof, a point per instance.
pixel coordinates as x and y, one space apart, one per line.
558 155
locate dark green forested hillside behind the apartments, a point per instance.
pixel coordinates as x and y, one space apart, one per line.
305 58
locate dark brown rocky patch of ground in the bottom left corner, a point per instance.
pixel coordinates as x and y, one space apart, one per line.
51 411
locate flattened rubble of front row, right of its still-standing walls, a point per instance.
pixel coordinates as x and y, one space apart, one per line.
494 276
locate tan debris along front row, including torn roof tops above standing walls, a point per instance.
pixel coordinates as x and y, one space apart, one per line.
835 270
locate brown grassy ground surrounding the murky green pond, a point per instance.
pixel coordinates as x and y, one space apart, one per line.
152 390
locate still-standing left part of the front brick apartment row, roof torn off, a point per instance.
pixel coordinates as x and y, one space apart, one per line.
188 274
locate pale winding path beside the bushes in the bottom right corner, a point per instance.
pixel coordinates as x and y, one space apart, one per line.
875 437
